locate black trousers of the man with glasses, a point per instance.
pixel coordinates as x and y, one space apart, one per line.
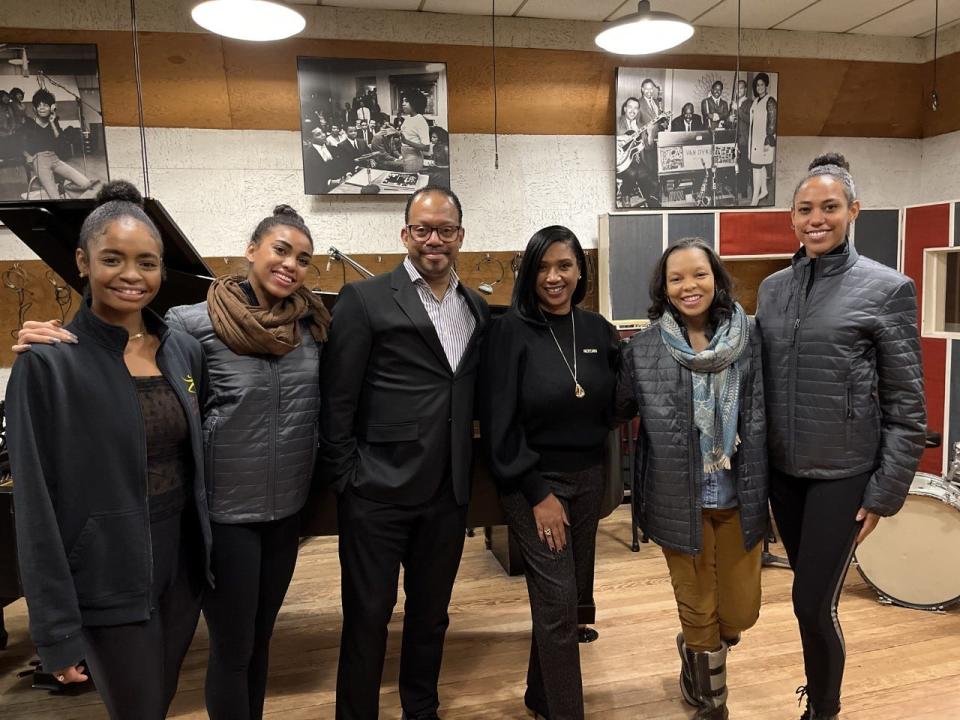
375 540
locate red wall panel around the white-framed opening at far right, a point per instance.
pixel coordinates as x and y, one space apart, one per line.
928 226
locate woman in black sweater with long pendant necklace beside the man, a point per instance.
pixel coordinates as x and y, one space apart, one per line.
548 375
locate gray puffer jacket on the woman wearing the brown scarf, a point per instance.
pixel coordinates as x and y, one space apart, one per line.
259 424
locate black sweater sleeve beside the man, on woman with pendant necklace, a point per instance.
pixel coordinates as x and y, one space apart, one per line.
513 463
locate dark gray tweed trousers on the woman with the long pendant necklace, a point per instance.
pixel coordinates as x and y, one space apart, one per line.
556 582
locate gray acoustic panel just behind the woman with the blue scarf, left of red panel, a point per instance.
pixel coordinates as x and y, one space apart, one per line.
636 243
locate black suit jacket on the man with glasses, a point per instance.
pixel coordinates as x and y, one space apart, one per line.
396 420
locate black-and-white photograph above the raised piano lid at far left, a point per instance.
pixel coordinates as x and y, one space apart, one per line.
52 144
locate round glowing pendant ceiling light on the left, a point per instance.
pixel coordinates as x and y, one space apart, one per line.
257 20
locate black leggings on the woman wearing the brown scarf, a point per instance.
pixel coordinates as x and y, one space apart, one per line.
252 567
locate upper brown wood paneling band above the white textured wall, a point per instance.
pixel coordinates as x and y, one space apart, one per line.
204 81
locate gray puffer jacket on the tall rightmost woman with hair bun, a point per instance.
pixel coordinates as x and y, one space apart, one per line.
842 368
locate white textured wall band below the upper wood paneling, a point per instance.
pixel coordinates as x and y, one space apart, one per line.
218 183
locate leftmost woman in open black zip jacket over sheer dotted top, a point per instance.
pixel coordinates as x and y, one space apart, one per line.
107 455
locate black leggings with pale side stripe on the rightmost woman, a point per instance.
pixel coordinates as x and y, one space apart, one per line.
817 523
